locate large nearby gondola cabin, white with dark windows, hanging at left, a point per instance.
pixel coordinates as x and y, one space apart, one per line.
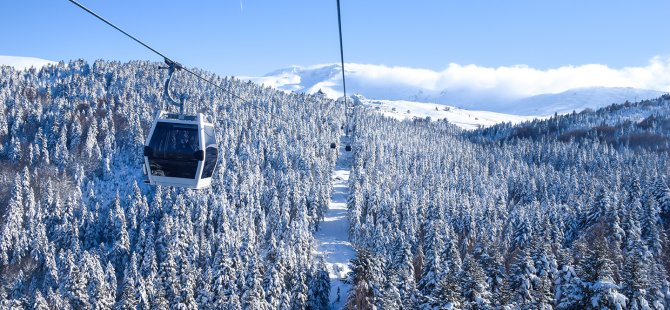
180 151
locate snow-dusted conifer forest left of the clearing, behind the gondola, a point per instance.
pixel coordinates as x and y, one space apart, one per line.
80 230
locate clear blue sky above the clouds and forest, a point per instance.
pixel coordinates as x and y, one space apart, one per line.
255 37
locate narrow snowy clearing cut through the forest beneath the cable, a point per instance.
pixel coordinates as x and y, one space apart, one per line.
332 238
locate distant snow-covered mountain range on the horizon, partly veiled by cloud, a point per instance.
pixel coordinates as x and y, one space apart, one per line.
418 85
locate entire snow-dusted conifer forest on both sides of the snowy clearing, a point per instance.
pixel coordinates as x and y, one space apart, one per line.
565 212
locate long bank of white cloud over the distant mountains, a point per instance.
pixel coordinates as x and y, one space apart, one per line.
513 81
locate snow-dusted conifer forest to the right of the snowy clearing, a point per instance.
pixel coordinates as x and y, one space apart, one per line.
572 212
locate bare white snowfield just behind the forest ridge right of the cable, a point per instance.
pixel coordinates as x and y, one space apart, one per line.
466 119
